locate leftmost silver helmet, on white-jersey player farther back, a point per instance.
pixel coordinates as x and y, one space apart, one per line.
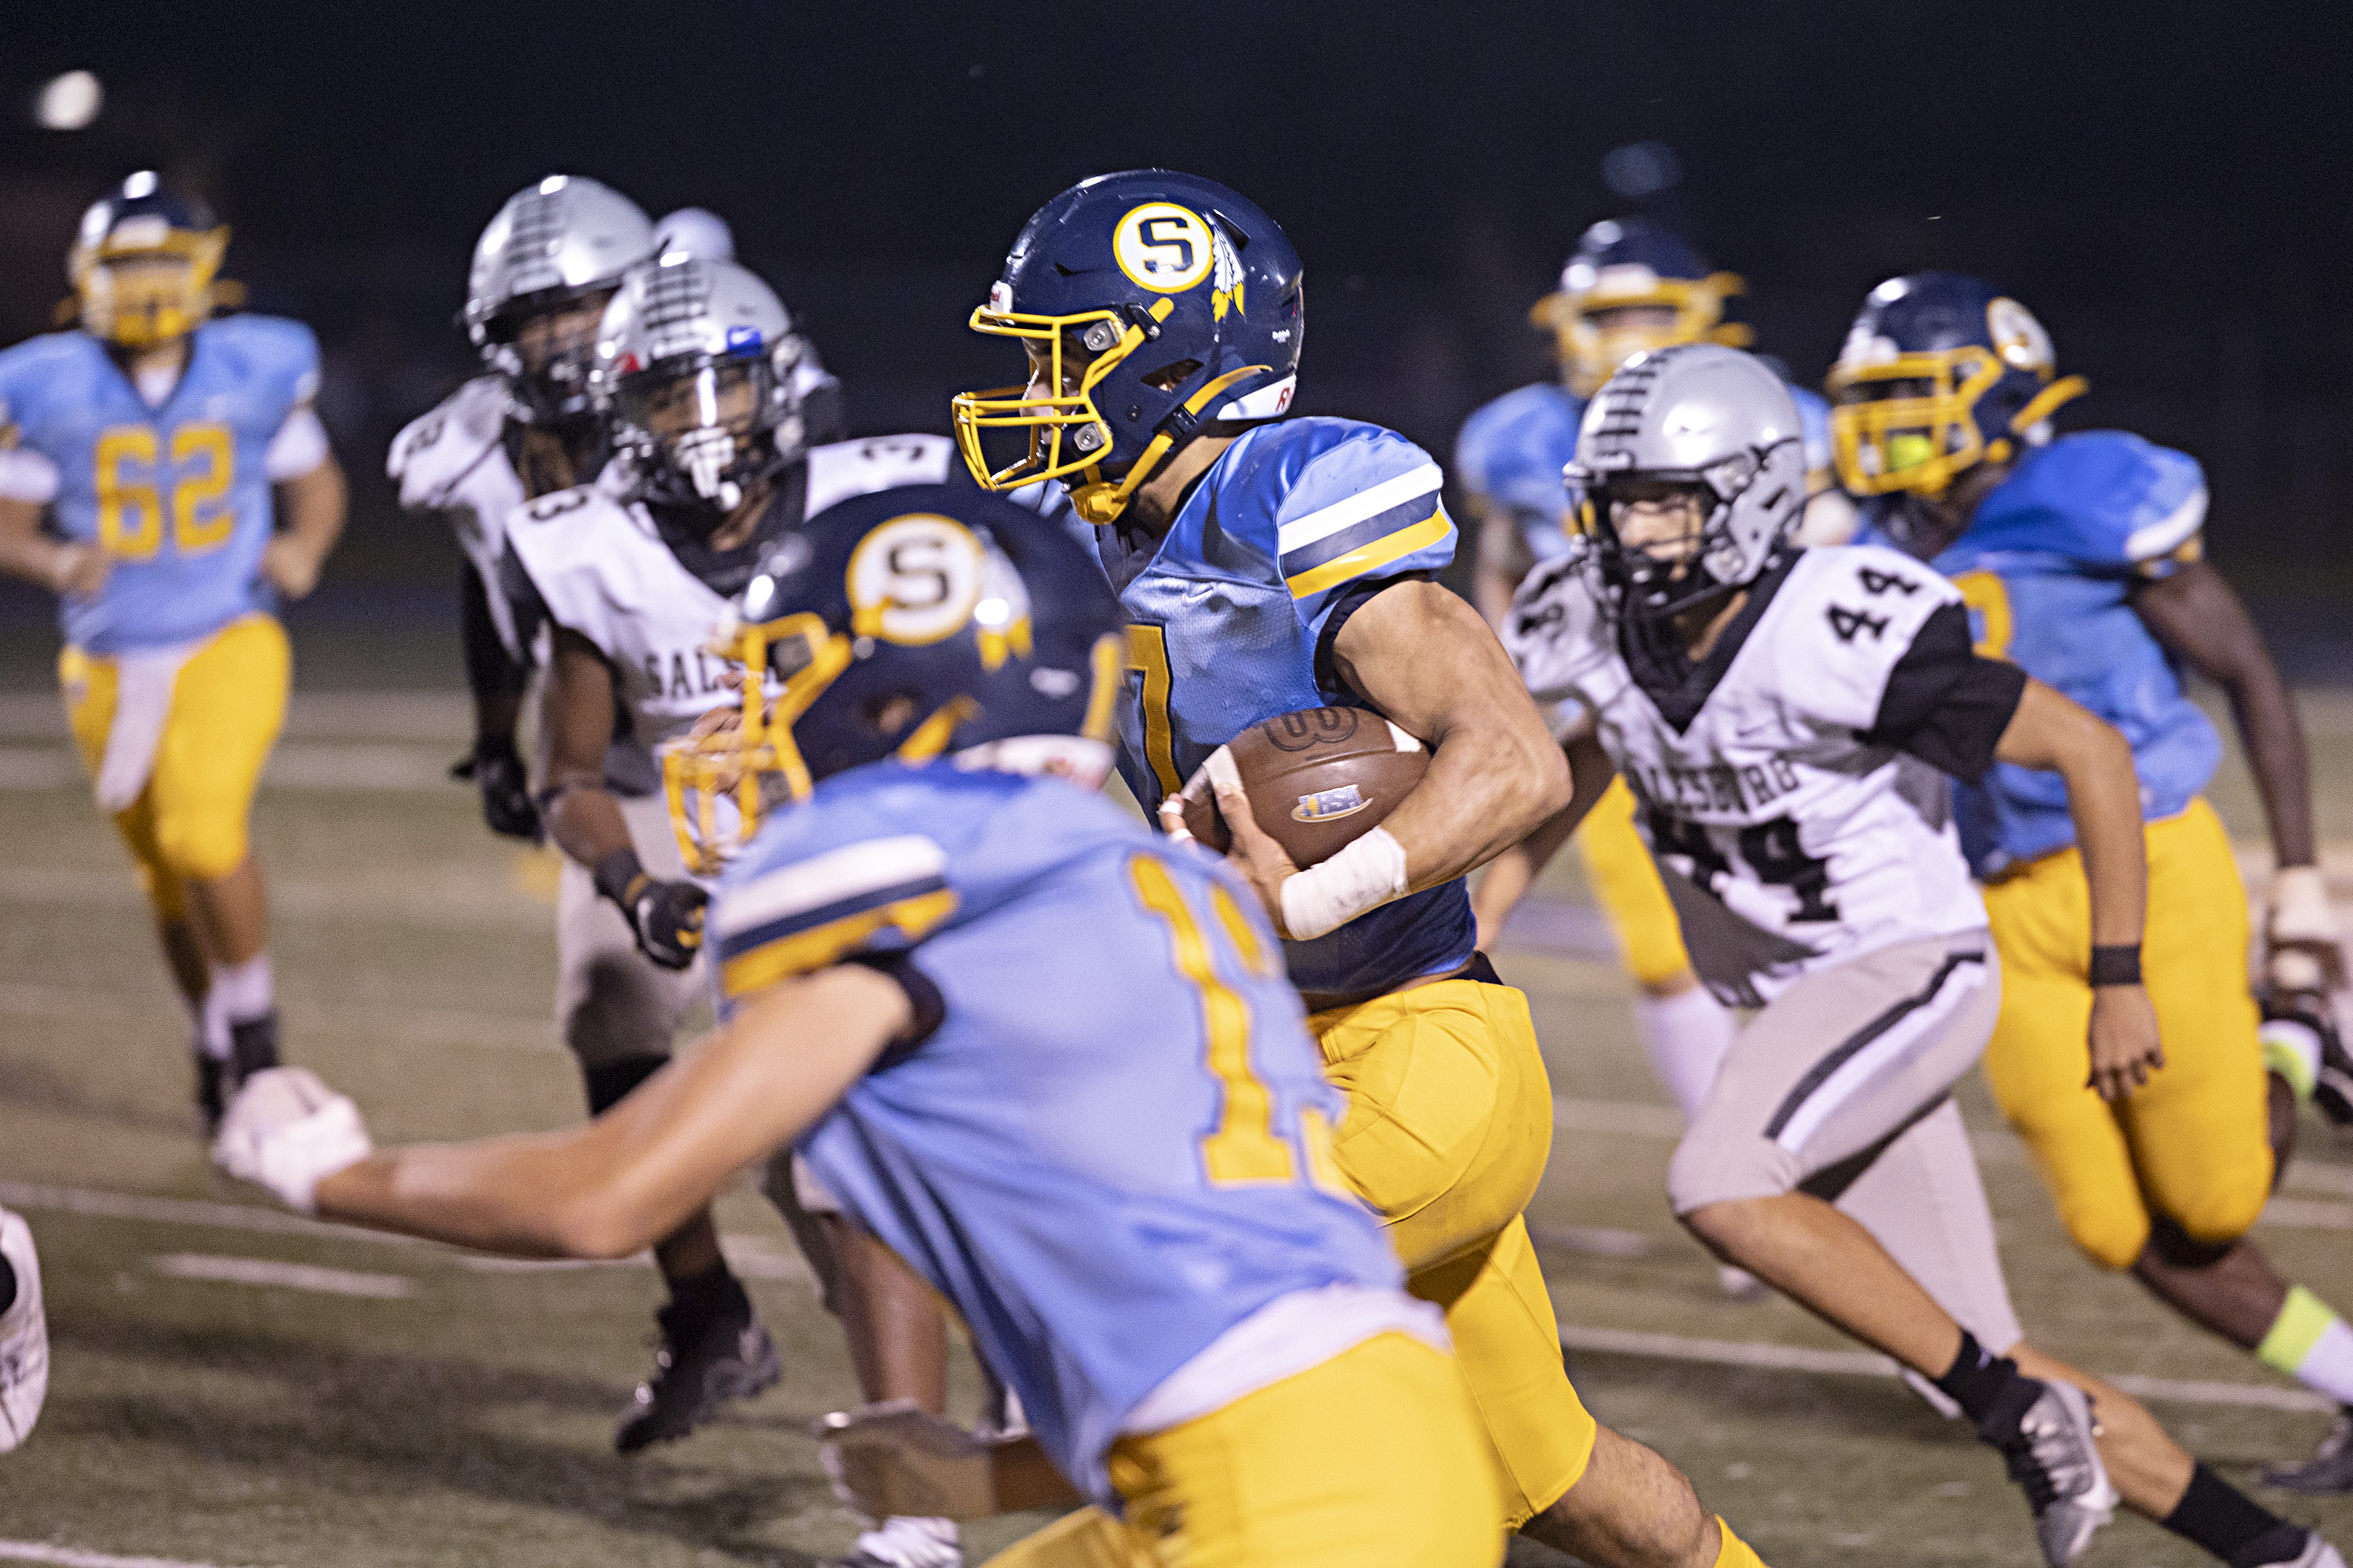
559 243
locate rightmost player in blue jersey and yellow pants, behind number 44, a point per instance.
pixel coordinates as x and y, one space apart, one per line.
2081 561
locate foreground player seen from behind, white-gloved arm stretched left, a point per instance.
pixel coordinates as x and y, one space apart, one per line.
1149 1242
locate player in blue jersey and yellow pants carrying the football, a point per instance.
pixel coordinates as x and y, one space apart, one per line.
1269 565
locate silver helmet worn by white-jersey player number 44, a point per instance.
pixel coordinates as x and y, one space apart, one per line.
1700 417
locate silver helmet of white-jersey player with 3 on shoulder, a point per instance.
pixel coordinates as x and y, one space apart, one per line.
695 370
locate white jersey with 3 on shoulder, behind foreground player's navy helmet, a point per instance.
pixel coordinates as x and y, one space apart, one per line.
604 572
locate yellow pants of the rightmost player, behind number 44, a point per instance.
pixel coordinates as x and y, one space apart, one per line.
2194 1141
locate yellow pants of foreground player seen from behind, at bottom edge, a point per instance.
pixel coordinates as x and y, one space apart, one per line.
1366 1461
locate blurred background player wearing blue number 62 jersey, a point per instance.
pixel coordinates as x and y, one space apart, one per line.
147 464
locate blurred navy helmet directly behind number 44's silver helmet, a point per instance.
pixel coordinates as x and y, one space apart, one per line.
1634 288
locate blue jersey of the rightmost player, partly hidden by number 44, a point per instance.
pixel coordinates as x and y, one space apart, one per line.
2048 568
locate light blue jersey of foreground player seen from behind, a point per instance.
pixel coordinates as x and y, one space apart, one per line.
1116 1146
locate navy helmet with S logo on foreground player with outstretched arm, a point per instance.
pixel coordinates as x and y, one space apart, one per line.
912 624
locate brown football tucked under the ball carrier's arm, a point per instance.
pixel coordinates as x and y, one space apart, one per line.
1317 779
